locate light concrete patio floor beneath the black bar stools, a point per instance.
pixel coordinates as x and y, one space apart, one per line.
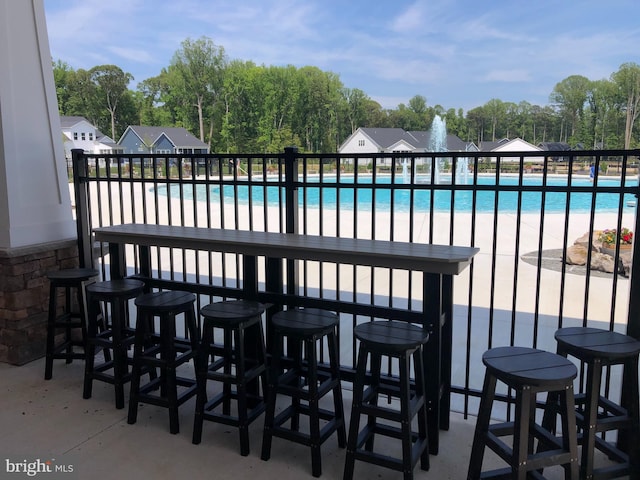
50 421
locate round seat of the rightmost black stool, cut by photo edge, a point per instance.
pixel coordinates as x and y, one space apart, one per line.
587 343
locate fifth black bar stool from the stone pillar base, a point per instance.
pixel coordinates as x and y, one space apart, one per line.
302 380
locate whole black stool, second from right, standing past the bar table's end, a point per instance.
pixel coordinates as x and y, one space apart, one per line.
528 371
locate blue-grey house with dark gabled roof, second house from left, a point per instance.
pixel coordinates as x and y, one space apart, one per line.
163 140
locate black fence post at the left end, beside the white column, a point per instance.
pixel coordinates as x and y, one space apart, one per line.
83 225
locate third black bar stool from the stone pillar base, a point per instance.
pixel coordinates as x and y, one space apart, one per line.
165 351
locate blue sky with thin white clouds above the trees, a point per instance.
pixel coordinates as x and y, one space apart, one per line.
458 54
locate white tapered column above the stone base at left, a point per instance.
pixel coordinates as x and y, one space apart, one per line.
35 207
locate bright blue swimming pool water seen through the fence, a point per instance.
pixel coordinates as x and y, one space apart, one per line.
485 200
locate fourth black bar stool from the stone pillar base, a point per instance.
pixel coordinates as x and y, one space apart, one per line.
243 347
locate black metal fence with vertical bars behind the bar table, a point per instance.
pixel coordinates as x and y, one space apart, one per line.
522 209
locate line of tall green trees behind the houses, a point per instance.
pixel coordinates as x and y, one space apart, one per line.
238 106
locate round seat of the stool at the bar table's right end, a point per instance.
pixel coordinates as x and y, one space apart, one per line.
390 335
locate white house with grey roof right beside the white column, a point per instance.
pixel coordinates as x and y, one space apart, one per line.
78 132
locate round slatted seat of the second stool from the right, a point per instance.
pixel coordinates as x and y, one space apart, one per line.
528 366
